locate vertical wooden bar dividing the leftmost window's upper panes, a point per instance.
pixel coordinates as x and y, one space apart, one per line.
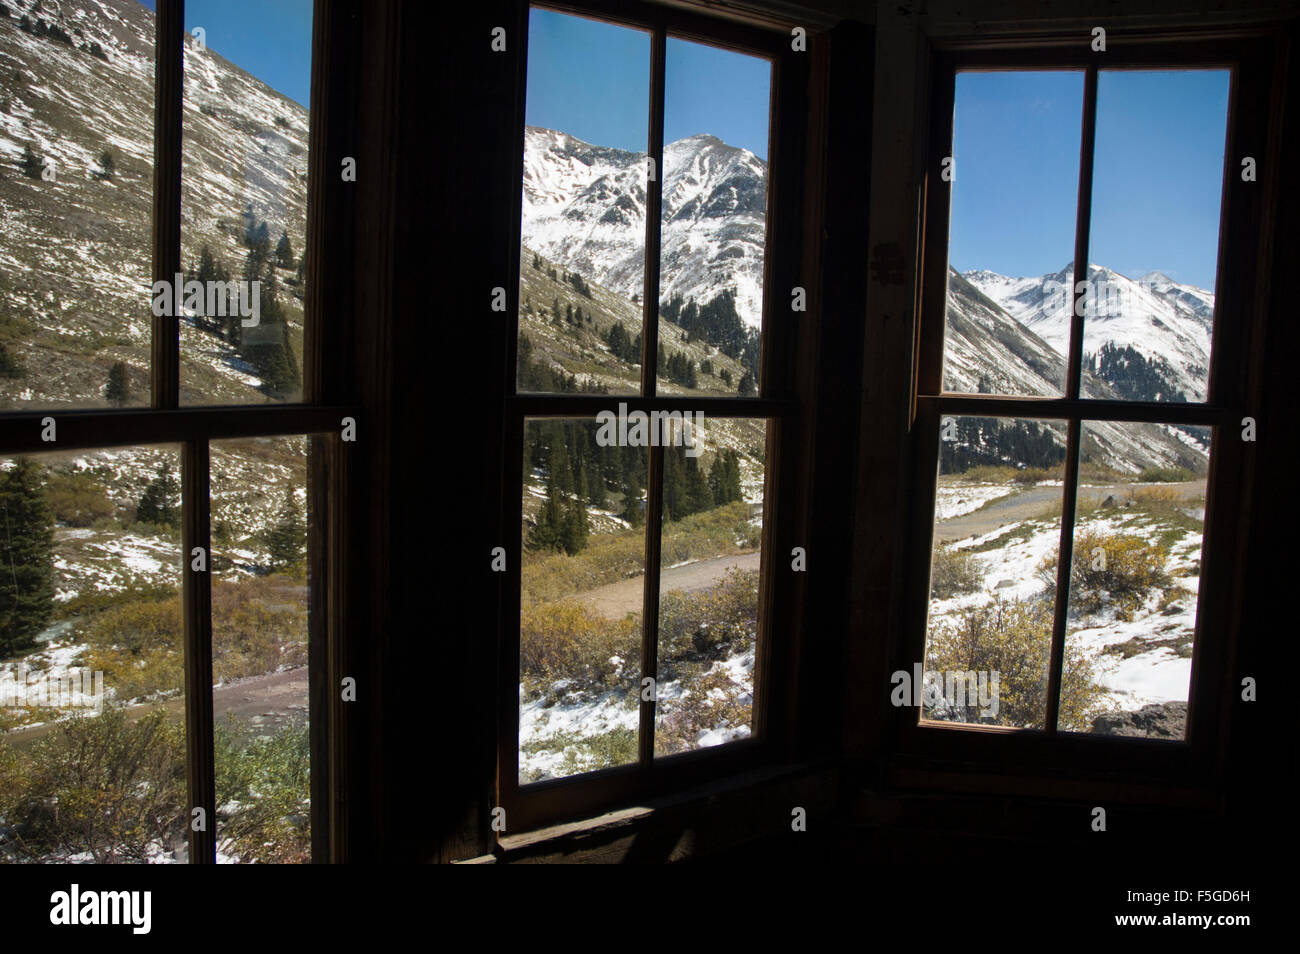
168 90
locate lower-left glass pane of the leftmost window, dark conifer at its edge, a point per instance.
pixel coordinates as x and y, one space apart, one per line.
92 658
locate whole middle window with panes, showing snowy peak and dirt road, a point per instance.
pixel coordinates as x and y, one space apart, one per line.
645 410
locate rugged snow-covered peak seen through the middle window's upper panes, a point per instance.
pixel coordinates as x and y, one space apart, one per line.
584 209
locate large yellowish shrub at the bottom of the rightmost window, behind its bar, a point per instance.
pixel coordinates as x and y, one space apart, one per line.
1013 639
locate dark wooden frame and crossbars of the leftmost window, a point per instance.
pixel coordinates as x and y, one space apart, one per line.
327 401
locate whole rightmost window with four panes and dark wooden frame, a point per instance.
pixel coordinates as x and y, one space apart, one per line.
1080 443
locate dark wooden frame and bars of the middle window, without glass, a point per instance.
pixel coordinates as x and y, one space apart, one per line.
532 805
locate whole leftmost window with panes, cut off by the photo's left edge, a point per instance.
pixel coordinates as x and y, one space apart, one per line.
162 556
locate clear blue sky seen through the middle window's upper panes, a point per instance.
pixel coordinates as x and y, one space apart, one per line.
592 81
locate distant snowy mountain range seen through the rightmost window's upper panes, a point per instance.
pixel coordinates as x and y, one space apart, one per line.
1167 323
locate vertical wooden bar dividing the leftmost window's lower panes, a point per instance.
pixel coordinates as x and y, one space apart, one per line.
197 612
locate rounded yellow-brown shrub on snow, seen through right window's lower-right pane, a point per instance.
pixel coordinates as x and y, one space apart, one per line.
1112 569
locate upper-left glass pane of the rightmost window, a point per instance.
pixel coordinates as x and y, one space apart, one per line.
1011 251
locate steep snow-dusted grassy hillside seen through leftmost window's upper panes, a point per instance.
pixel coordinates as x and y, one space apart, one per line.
76 81
